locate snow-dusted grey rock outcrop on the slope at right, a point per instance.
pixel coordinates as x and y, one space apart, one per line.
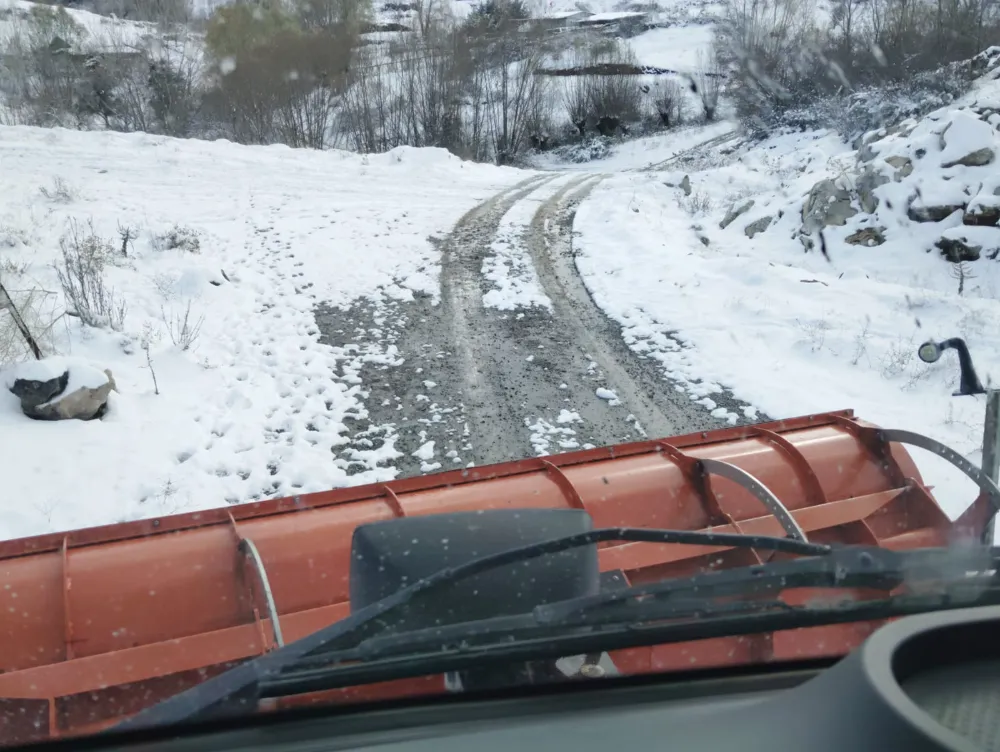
935 180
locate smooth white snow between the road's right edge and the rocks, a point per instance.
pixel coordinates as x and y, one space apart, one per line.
787 331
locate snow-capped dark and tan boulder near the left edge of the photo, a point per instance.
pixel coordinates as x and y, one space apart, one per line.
58 389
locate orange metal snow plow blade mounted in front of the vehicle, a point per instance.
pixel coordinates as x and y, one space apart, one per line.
100 623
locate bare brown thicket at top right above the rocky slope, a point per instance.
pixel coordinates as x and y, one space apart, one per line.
785 61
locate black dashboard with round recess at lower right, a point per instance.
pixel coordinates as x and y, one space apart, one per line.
923 683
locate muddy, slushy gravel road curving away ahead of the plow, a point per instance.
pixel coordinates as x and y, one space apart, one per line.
517 359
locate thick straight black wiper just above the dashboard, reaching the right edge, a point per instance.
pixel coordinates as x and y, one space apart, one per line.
665 612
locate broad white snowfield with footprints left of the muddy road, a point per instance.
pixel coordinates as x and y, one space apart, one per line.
250 402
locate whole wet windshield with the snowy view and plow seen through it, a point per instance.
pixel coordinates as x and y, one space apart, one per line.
295 293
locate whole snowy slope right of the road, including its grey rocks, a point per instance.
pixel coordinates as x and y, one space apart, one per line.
790 331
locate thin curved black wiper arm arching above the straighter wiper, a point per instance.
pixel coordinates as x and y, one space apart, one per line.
234 691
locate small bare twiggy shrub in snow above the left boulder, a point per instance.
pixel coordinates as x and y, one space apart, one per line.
81 275
